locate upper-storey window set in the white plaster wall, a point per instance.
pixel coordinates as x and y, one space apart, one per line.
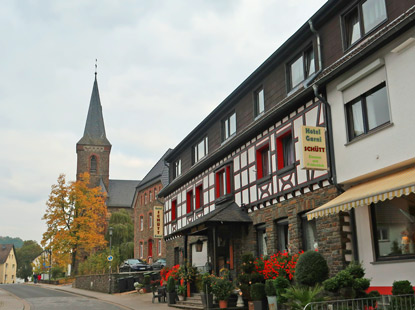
367 112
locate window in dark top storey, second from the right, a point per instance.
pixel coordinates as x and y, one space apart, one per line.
301 68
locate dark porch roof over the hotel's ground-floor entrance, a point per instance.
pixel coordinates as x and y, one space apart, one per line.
229 212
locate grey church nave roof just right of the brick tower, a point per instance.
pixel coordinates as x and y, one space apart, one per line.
121 192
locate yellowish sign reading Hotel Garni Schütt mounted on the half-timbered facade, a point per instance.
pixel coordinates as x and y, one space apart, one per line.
313 149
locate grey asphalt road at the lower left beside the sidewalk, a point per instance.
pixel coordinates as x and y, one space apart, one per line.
45 299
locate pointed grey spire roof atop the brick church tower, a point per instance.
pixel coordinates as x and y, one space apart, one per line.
94 133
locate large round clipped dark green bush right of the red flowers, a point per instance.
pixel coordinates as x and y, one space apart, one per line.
311 269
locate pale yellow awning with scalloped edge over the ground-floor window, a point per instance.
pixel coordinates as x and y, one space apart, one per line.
380 189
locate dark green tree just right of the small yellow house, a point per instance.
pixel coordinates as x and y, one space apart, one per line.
25 256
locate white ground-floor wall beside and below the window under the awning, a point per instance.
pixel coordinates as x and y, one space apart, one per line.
381 274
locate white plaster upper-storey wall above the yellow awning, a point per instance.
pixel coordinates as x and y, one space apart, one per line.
390 145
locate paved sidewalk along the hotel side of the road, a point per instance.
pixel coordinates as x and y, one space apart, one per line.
129 300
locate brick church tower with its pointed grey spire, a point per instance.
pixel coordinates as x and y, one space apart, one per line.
93 150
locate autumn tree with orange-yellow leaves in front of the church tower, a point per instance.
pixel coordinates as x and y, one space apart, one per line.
76 220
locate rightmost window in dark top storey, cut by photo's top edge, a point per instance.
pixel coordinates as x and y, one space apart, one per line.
362 18
